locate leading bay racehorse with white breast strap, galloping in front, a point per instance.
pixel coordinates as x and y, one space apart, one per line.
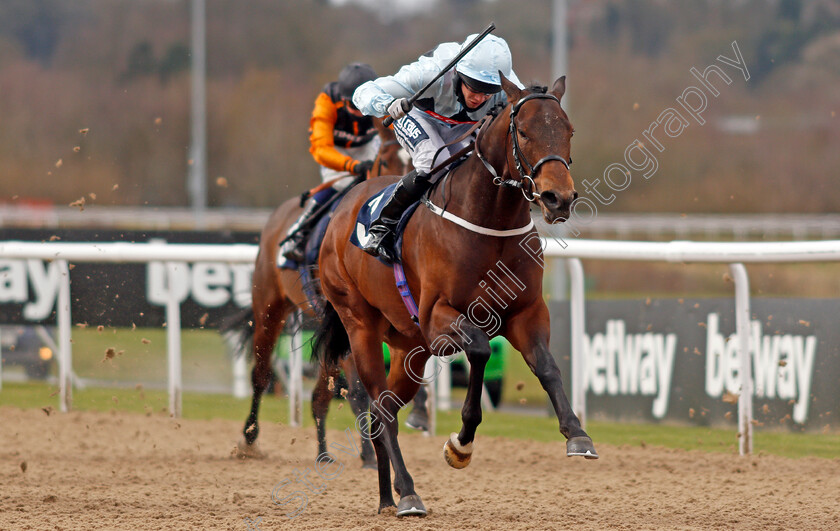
472 279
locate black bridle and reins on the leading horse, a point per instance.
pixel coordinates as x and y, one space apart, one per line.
526 182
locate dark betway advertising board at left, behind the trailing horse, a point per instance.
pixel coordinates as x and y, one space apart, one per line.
124 294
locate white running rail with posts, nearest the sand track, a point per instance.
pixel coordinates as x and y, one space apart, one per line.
733 253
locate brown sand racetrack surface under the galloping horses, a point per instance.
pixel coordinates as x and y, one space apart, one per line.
86 470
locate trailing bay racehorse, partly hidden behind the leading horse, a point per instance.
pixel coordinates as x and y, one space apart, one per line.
276 293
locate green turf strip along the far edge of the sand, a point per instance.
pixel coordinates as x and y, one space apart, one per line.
540 428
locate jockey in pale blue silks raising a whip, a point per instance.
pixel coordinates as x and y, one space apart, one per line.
440 115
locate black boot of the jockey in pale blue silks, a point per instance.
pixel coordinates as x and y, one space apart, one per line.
384 228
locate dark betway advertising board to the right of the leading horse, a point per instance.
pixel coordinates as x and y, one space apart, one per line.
677 360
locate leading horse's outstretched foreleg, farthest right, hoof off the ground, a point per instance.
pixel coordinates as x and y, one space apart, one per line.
528 333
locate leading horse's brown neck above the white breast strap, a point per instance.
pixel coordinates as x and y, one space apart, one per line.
470 194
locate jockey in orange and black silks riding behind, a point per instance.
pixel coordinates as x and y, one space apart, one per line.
342 140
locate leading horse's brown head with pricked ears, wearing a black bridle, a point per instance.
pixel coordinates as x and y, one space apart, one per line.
539 147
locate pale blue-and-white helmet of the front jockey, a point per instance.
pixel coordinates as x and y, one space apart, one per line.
479 69
